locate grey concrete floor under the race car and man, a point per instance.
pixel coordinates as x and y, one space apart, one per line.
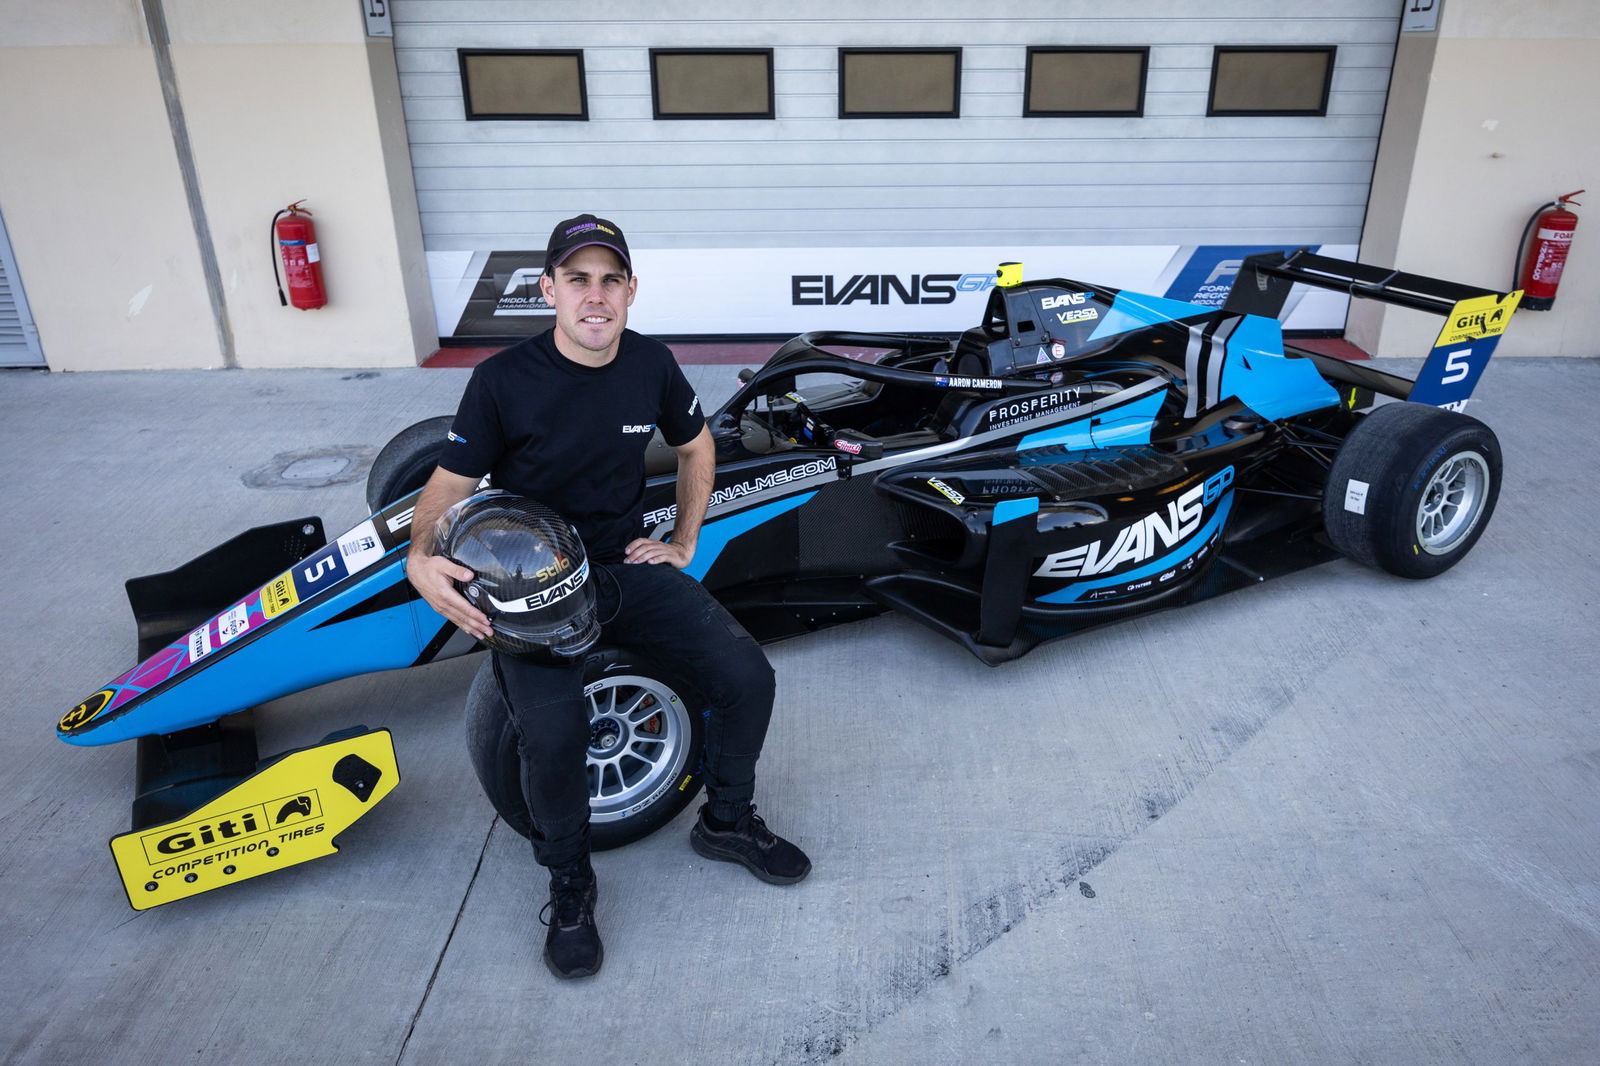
1337 819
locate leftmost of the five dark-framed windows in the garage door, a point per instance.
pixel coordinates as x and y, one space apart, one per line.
522 86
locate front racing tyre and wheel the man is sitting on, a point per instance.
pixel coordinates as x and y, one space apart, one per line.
644 750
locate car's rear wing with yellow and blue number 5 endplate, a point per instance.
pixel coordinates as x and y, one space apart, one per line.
1474 318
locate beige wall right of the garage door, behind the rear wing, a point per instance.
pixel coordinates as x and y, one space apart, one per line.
1487 121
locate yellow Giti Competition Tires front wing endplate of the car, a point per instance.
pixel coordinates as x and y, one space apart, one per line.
286 814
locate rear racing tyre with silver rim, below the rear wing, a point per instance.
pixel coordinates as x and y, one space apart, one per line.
1412 489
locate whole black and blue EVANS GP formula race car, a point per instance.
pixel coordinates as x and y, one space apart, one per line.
1081 457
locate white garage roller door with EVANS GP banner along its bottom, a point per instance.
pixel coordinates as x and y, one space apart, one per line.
1124 201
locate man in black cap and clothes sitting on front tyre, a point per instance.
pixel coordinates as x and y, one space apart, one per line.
566 419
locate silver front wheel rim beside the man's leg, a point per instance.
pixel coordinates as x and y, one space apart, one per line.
639 743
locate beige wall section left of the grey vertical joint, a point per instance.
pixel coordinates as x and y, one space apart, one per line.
94 196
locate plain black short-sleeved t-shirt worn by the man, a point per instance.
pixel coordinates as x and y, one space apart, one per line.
570 436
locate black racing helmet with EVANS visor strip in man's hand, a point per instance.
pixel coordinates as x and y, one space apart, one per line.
530 575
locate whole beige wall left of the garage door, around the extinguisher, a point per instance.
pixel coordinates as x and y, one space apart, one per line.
282 102
